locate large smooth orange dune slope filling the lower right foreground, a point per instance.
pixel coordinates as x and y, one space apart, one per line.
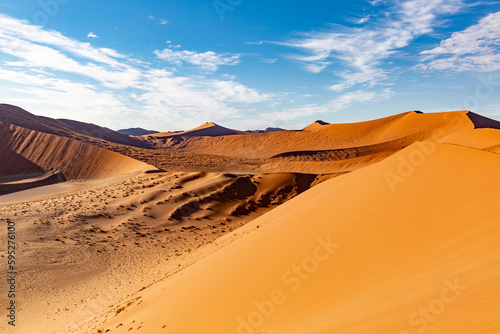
408 245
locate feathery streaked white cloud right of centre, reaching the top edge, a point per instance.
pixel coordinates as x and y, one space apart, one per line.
364 49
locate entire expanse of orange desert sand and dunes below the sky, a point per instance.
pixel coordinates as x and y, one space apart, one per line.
384 226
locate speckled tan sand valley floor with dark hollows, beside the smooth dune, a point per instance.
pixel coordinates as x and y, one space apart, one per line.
104 240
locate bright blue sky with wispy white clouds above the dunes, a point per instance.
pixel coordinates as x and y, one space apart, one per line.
172 65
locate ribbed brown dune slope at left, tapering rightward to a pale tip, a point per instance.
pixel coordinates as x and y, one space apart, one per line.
34 152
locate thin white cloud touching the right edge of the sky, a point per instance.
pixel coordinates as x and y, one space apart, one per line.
476 48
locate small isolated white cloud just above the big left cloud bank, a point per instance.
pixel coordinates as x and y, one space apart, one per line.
209 60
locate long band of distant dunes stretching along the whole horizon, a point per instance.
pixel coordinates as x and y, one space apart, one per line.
319 148
